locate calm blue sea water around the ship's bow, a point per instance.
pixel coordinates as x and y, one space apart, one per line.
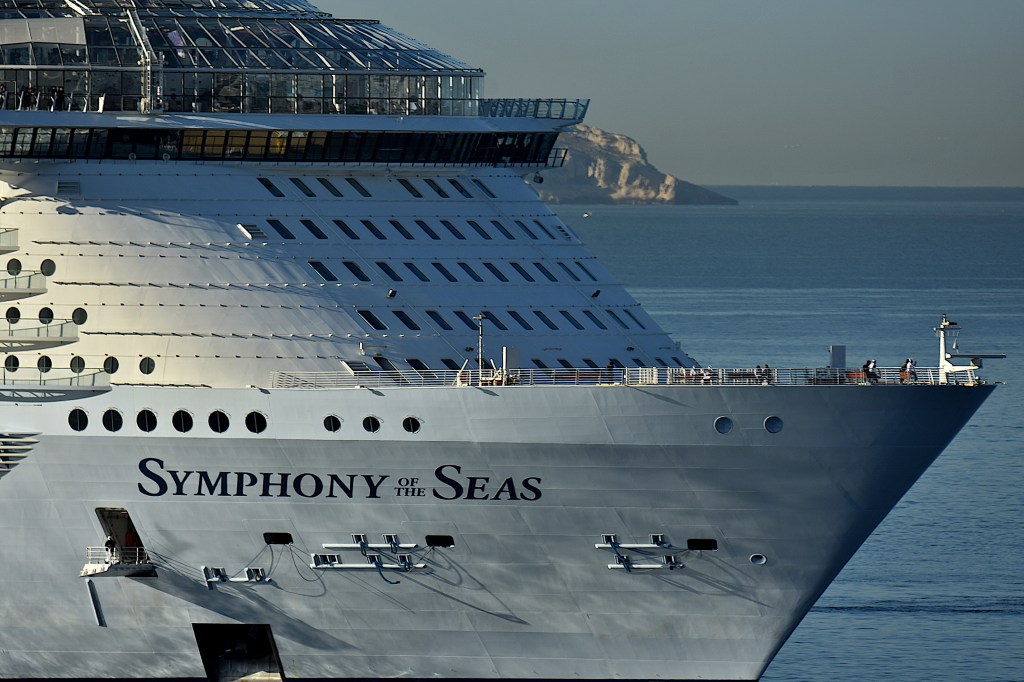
937 593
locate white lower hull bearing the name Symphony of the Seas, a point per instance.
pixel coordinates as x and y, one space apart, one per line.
525 481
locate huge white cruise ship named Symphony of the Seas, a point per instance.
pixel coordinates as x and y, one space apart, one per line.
302 380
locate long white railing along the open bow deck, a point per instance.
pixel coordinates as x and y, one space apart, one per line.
633 376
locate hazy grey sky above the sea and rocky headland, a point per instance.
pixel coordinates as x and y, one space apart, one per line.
916 93
